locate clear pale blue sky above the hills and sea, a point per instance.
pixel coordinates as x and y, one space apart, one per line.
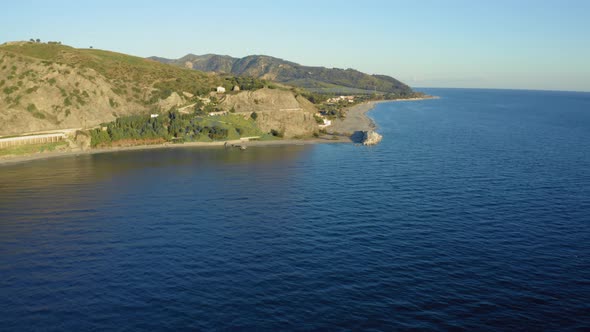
490 44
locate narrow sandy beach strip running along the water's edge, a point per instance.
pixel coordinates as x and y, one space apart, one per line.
356 115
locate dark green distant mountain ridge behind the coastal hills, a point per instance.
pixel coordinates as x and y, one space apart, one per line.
317 79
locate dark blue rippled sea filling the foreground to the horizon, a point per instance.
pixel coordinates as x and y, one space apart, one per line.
473 213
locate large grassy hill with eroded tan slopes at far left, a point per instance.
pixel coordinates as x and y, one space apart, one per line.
46 86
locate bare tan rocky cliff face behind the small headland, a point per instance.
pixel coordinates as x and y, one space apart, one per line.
277 109
